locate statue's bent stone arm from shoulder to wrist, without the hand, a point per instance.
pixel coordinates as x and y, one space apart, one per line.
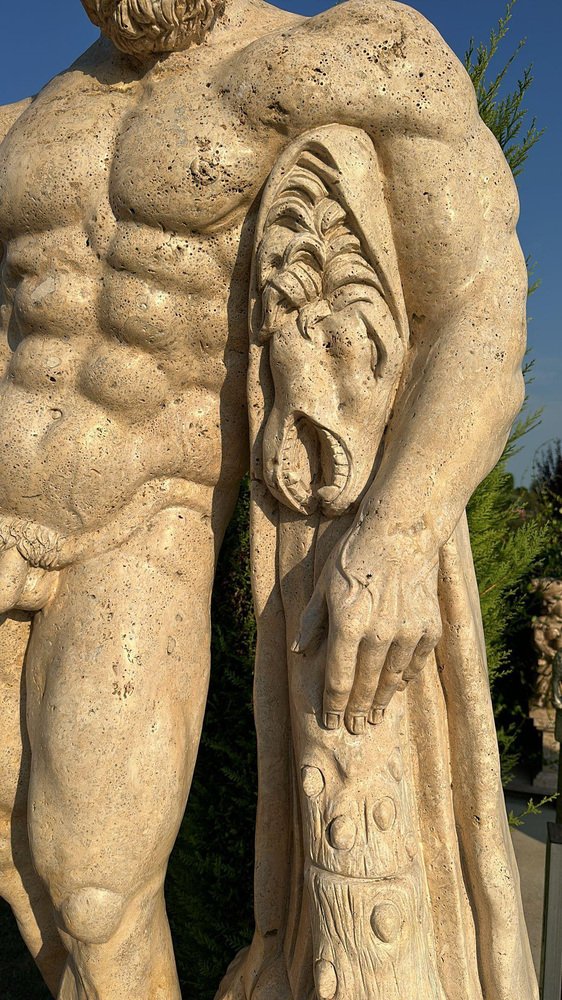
453 208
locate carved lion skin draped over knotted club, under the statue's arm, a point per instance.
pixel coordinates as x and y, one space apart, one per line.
371 880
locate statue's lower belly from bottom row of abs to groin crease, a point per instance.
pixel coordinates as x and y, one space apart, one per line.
85 422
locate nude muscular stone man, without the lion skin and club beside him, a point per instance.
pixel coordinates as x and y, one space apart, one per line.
129 188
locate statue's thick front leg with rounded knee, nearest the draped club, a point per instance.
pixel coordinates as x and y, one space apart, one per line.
117 671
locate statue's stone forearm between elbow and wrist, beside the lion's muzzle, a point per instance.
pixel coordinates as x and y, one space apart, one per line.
452 419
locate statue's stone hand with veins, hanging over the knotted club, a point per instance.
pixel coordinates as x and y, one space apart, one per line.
376 599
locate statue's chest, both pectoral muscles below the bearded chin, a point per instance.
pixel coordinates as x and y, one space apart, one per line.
170 155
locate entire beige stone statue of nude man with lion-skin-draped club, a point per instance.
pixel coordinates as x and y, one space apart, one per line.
334 173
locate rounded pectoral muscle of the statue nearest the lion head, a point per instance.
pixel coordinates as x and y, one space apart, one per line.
183 162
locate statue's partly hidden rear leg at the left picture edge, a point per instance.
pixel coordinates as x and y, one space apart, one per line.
20 885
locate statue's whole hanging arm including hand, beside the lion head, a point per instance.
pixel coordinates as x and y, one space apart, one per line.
453 208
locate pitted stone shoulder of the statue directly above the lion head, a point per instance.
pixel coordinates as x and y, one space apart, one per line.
372 63
